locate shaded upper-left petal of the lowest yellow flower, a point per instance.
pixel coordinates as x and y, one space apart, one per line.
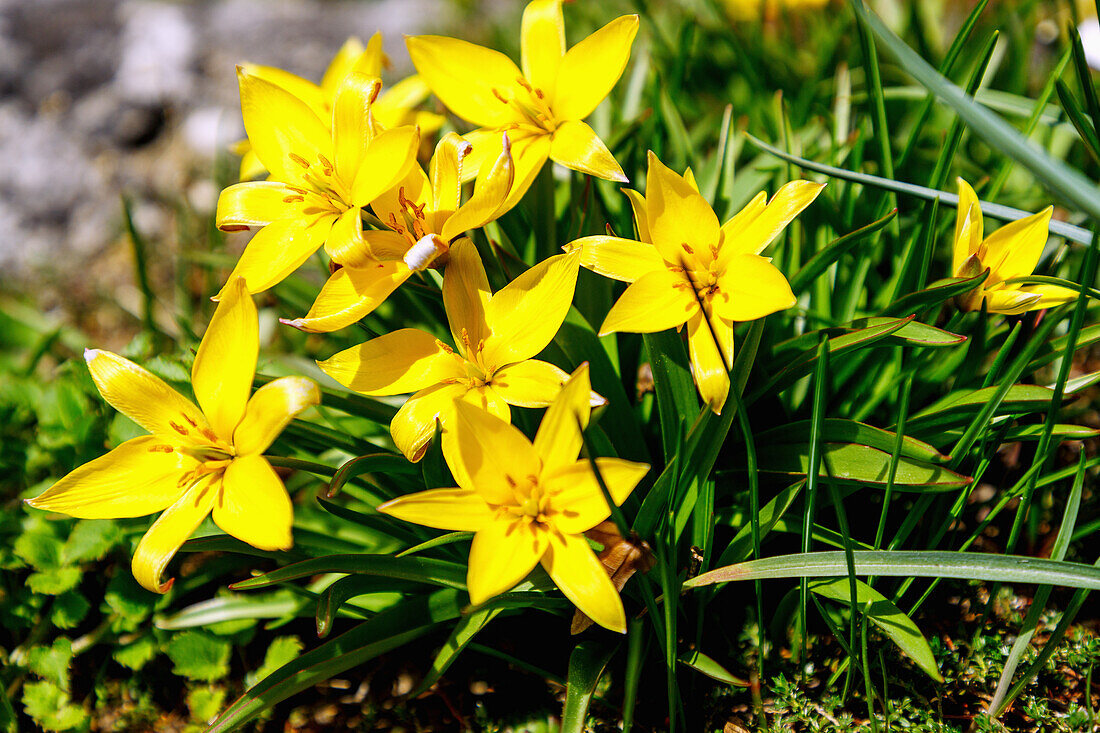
490 456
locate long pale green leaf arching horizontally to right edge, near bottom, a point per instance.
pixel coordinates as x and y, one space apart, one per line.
918 564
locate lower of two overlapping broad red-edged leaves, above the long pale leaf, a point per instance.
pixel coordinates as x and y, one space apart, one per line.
854 464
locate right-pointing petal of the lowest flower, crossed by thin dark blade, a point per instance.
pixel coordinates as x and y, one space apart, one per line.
578 504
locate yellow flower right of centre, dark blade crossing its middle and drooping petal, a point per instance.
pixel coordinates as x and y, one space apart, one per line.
690 270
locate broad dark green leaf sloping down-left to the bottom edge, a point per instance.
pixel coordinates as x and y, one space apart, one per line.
389 630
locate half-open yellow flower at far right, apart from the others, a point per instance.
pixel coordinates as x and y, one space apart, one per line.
1011 251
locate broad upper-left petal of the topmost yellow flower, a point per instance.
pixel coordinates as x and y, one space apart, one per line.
465 75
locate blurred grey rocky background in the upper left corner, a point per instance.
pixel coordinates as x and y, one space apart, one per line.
107 99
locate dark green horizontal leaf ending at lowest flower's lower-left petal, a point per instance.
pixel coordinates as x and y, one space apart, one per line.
421 570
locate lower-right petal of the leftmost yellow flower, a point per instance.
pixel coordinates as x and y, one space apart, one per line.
254 505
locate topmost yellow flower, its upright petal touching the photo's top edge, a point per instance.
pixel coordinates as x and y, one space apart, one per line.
542 108
